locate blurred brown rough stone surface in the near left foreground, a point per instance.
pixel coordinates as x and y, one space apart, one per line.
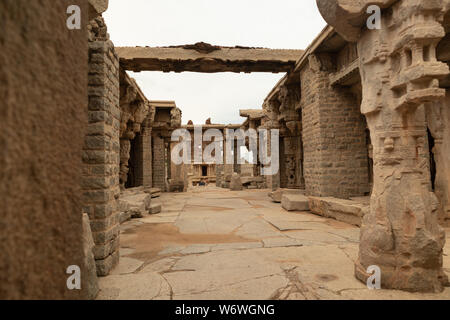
43 93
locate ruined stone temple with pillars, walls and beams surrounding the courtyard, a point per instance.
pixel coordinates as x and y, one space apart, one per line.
364 138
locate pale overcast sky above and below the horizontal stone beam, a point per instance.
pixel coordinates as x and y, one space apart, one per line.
276 24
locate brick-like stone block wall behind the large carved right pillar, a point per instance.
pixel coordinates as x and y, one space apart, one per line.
334 138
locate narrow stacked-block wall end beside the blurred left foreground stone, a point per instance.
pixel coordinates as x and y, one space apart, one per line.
101 151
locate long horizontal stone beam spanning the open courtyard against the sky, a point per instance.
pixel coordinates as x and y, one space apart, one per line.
206 58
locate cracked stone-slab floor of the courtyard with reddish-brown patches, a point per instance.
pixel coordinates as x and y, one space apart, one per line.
216 244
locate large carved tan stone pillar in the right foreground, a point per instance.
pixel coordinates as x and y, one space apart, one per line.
400 73
